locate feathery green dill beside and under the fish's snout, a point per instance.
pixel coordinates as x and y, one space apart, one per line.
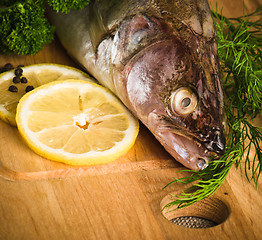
239 47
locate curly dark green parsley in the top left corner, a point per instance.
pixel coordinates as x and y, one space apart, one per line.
23 27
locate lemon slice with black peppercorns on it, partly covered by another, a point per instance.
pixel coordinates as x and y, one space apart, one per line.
36 75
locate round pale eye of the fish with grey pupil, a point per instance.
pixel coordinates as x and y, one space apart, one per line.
183 101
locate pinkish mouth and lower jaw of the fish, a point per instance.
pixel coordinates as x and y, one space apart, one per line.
185 150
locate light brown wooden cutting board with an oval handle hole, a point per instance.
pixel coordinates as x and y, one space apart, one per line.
41 199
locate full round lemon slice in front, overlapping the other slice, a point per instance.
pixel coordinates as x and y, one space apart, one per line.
76 122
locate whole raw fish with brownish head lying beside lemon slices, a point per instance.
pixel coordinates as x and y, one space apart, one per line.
160 58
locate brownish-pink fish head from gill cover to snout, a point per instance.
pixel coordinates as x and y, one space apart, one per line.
173 86
